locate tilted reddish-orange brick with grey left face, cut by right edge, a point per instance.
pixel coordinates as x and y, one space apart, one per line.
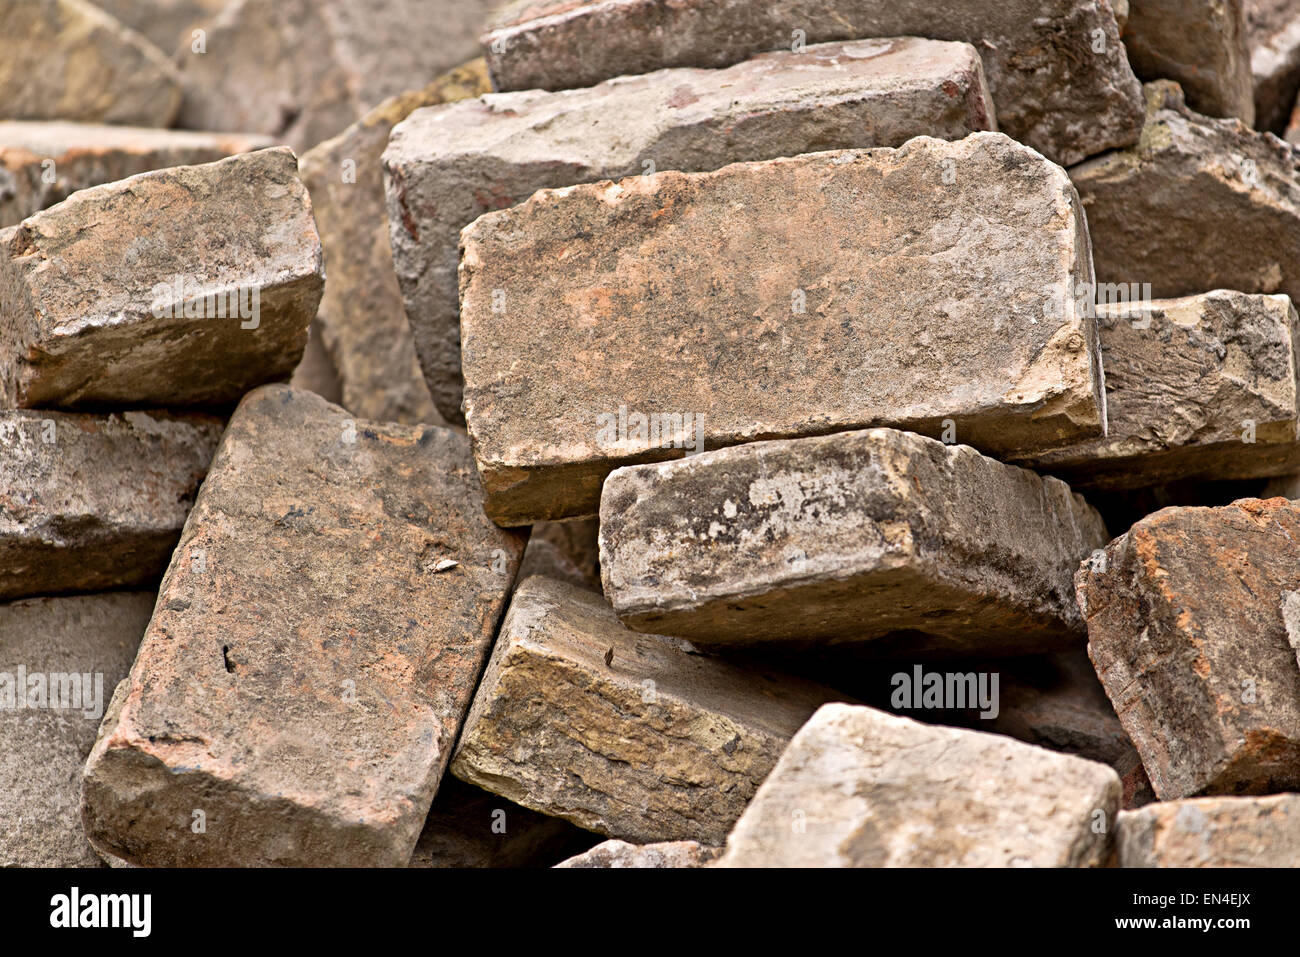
1189 621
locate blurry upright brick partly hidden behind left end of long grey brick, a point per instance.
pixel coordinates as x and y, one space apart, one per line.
363 323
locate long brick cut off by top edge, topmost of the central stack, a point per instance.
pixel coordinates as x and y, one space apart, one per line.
1058 68
